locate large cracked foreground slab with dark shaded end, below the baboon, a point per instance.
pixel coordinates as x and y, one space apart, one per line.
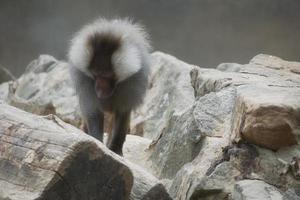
43 157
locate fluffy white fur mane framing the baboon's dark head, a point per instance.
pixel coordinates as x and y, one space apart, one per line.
126 61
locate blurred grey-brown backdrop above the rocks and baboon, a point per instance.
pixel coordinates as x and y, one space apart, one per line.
201 32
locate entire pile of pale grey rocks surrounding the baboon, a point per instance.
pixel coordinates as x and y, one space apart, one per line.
227 133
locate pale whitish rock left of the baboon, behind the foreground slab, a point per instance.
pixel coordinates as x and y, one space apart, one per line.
45 88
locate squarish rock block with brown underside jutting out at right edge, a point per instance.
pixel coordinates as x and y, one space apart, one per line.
266 118
